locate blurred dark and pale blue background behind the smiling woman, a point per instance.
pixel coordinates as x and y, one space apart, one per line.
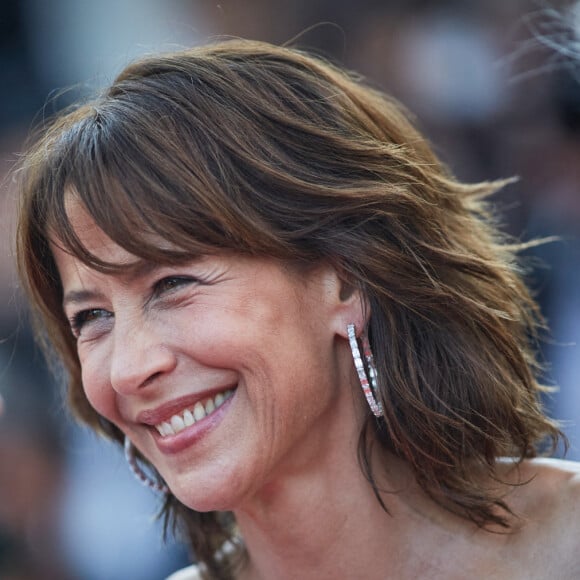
487 85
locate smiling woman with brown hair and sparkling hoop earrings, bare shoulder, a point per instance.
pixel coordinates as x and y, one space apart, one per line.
223 249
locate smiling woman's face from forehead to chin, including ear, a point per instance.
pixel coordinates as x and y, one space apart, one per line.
227 372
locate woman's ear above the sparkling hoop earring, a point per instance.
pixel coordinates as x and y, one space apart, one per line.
349 305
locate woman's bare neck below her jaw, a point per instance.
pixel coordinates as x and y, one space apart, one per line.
325 521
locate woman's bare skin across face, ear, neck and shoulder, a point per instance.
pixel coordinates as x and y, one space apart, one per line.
282 453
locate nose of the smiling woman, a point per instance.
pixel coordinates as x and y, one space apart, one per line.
139 357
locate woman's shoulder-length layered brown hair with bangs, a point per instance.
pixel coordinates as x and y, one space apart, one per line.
268 151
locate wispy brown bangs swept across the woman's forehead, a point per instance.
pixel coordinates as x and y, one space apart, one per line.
128 192
